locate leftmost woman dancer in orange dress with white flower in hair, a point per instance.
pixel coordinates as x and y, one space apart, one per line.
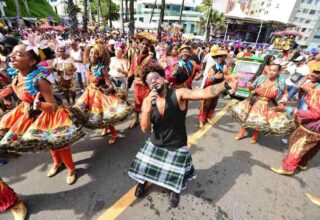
38 122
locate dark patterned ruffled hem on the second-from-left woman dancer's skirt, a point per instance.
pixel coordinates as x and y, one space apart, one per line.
83 117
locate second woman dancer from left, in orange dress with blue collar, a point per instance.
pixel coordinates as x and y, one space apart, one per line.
99 106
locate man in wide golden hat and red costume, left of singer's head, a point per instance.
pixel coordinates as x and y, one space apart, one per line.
138 64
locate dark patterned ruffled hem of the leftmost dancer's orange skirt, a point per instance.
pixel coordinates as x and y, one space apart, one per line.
35 145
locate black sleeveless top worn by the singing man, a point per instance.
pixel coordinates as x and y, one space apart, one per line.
169 130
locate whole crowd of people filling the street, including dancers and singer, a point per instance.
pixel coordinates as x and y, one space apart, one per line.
52 86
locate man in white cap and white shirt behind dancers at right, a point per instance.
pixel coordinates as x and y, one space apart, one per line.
297 72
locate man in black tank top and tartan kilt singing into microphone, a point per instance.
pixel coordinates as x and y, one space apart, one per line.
165 160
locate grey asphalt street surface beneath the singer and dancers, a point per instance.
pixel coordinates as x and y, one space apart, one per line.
233 179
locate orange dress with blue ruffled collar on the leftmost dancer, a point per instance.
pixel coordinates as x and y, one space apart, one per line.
19 132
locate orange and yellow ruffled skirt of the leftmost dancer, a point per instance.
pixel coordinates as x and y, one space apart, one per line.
20 134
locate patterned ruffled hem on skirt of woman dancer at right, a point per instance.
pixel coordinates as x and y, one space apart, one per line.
287 128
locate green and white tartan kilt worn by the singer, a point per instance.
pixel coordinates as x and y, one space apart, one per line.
163 167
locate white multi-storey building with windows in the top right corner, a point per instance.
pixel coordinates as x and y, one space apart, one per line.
302 13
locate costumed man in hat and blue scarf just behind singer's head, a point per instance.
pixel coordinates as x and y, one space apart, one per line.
185 70
